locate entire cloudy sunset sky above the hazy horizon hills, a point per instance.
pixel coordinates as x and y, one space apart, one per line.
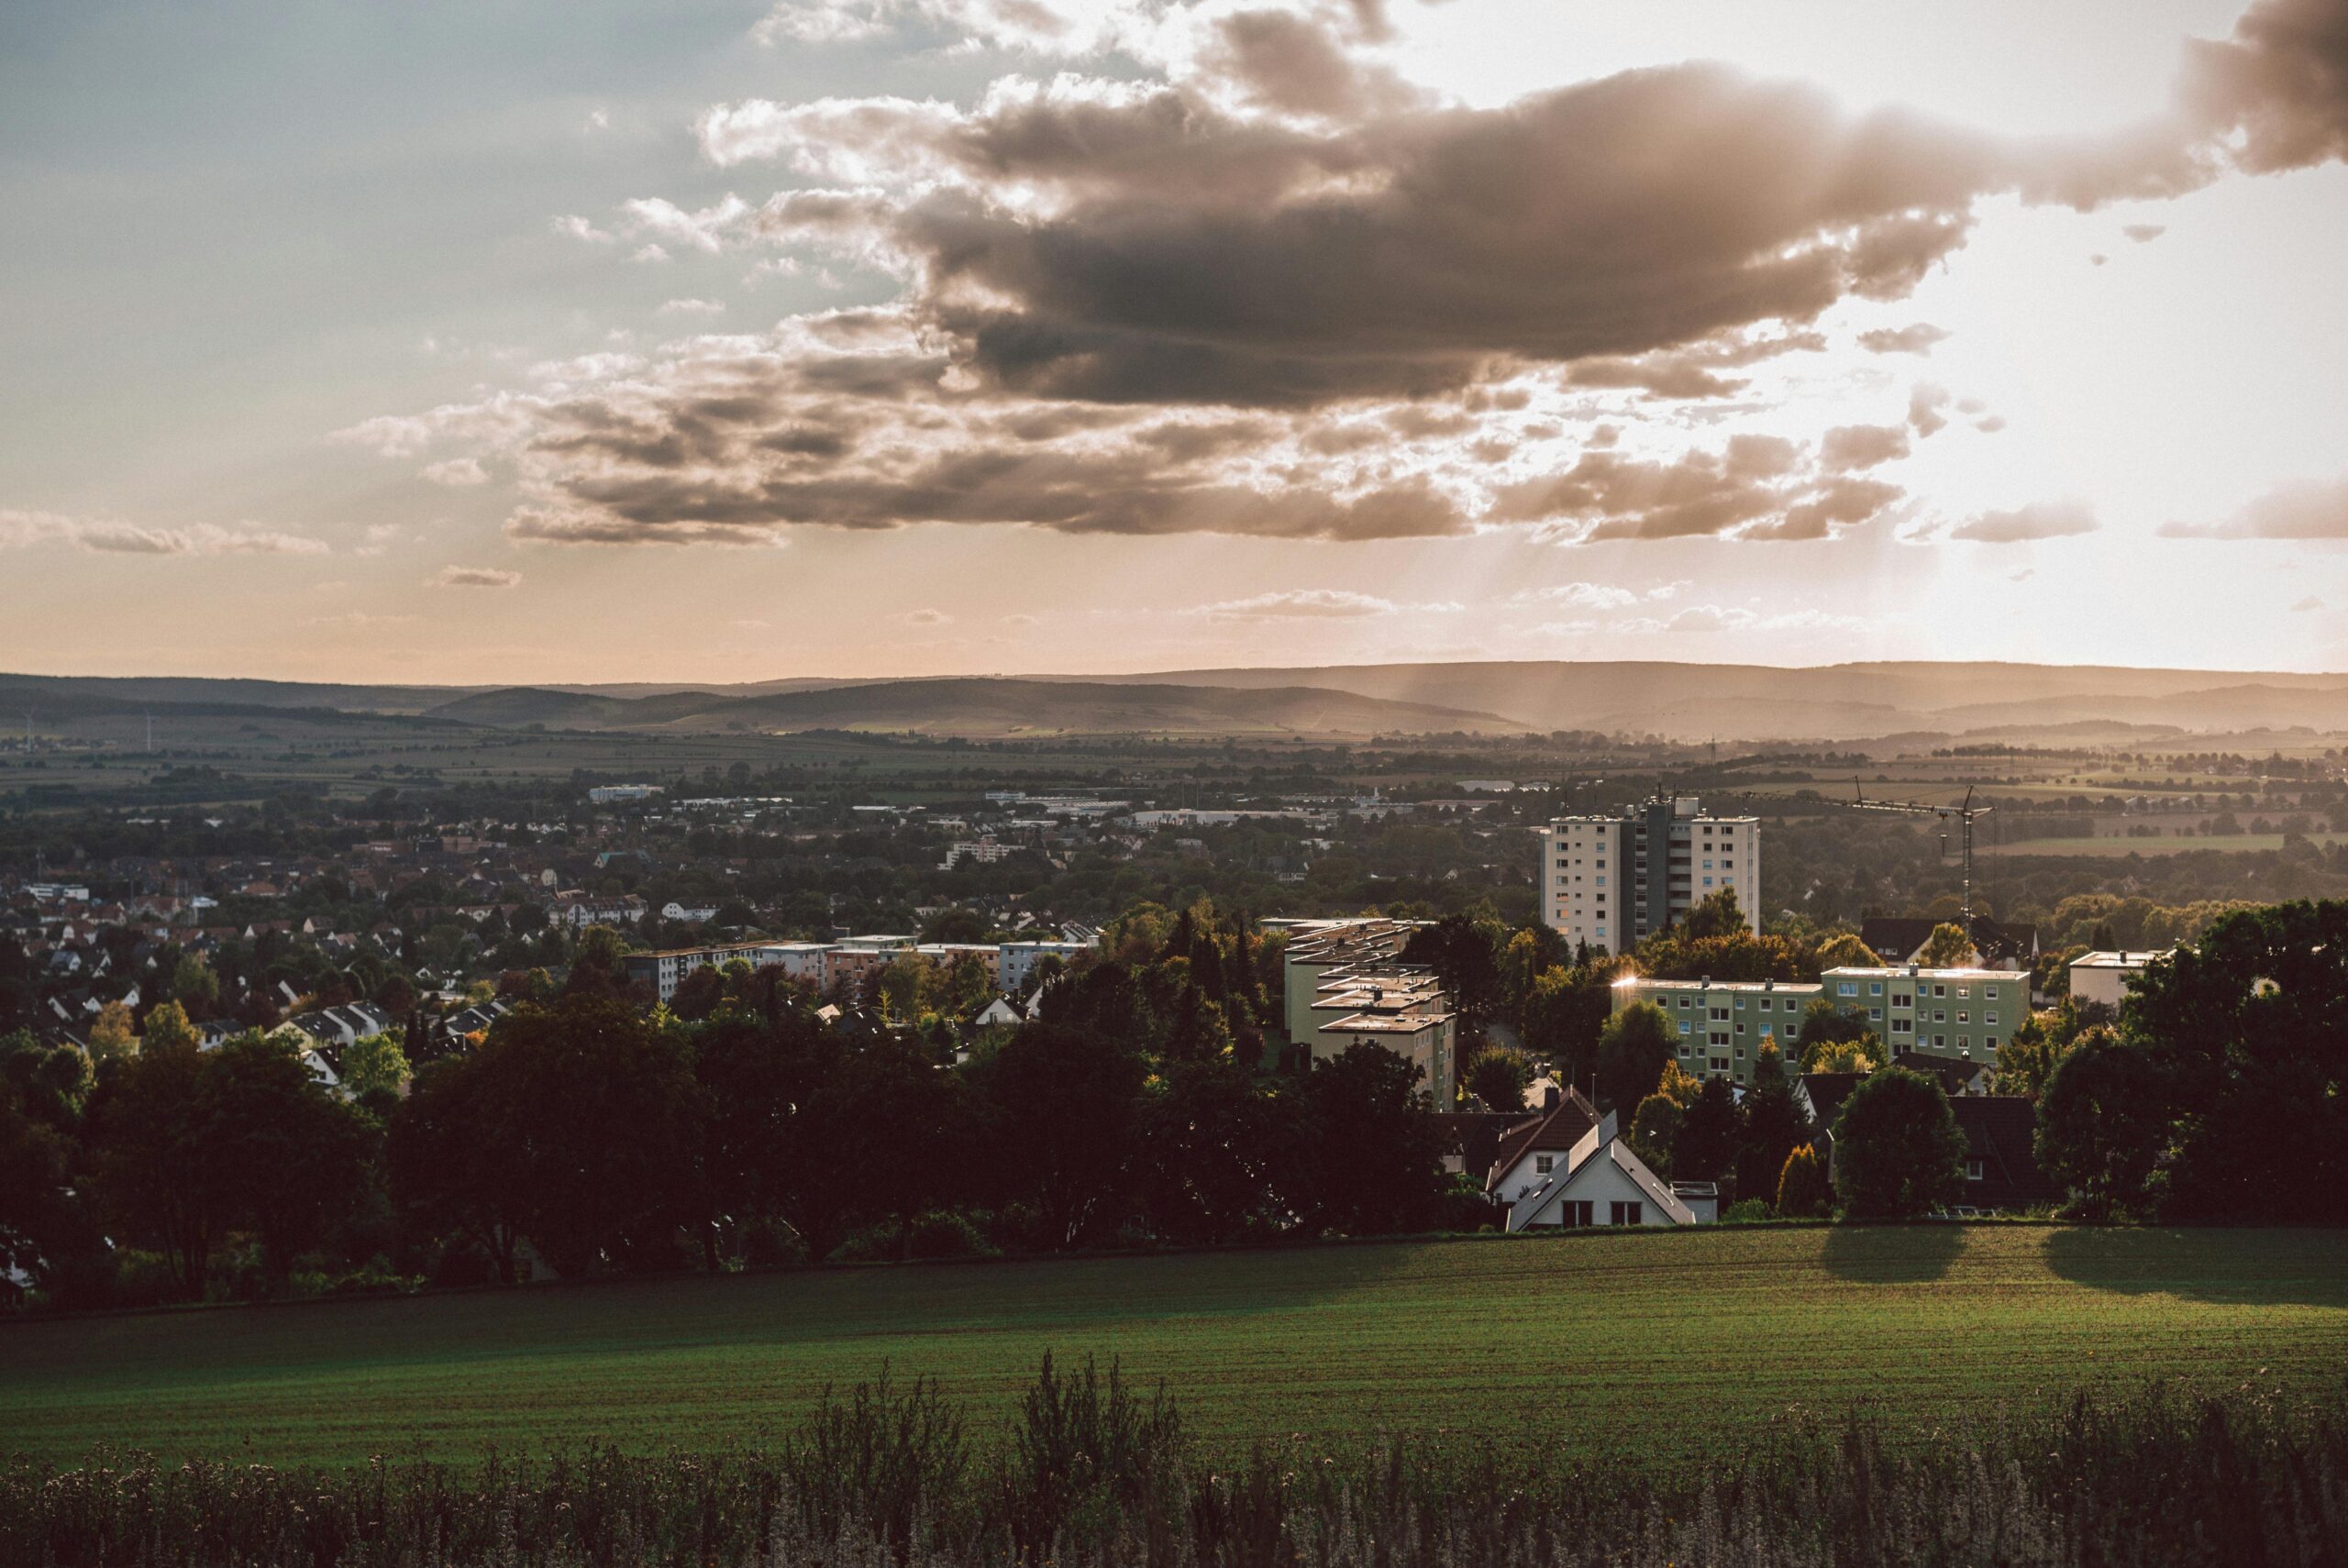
722 342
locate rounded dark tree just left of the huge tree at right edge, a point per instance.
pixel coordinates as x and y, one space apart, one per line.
2103 1126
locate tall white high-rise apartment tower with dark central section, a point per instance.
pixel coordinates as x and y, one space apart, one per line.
1612 881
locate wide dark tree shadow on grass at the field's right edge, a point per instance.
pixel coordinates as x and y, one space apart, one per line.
2234 1264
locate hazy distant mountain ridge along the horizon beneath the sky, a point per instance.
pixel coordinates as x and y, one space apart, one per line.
1689 703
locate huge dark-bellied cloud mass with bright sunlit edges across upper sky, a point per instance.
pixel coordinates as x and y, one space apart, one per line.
1248 281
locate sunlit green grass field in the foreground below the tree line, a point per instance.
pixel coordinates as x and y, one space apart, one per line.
1654 1339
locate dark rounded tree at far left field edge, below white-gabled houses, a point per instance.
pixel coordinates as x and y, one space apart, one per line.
281 1151
